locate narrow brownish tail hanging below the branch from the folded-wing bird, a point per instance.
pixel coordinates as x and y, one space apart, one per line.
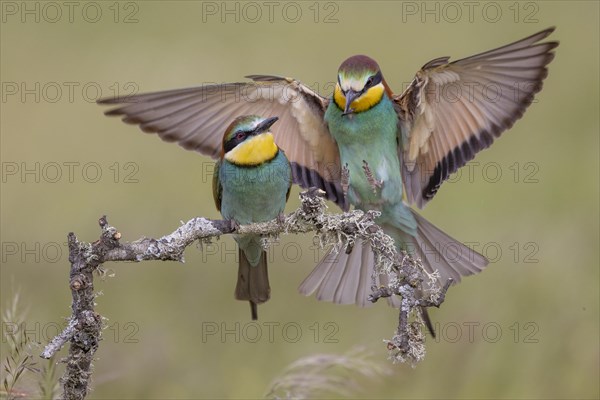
253 282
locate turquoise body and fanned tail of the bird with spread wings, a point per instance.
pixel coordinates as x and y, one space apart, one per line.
368 145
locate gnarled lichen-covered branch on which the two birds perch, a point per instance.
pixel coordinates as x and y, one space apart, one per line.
343 230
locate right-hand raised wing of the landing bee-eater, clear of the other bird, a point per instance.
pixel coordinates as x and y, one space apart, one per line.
453 110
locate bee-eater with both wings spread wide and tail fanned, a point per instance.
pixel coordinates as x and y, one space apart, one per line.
385 151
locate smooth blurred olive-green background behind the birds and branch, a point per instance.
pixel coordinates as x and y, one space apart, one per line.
527 327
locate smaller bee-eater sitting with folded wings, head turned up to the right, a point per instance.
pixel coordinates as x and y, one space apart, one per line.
251 183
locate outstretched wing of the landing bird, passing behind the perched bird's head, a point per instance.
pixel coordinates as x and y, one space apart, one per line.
197 117
